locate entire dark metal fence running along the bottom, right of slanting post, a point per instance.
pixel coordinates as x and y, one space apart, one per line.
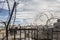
33 34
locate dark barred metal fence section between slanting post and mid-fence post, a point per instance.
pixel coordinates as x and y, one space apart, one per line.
24 34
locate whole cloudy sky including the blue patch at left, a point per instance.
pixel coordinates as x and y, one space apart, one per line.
29 11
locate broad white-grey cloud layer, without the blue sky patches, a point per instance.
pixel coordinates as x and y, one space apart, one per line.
30 8
